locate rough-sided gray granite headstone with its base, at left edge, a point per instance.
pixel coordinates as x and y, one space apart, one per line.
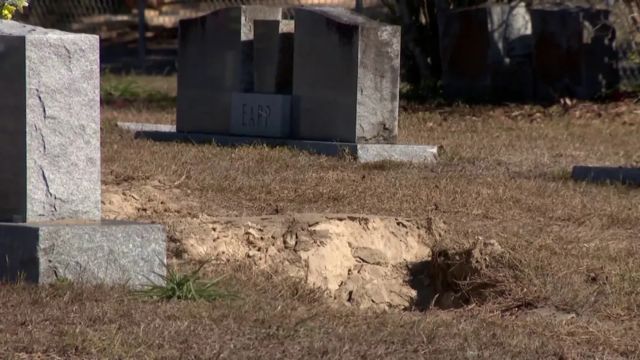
50 168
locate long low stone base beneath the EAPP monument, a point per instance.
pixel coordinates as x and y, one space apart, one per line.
425 154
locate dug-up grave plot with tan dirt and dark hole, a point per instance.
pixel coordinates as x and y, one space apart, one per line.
365 261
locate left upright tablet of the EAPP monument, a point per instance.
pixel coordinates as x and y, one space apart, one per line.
215 59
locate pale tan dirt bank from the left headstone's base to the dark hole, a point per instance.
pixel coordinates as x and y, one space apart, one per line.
357 259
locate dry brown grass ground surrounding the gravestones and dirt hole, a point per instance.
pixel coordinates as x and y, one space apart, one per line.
568 288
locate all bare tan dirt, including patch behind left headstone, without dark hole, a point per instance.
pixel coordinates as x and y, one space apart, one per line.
358 259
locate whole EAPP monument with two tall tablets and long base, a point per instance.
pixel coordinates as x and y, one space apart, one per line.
342 95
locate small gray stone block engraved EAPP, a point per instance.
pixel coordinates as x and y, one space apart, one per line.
261 115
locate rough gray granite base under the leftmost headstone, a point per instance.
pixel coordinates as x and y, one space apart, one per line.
107 252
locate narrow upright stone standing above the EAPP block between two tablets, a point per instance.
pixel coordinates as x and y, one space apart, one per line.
273 56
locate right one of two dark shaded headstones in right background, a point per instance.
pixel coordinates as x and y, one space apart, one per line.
574 54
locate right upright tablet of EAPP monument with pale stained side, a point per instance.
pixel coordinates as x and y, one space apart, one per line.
345 78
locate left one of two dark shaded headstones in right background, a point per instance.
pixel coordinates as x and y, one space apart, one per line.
486 53
